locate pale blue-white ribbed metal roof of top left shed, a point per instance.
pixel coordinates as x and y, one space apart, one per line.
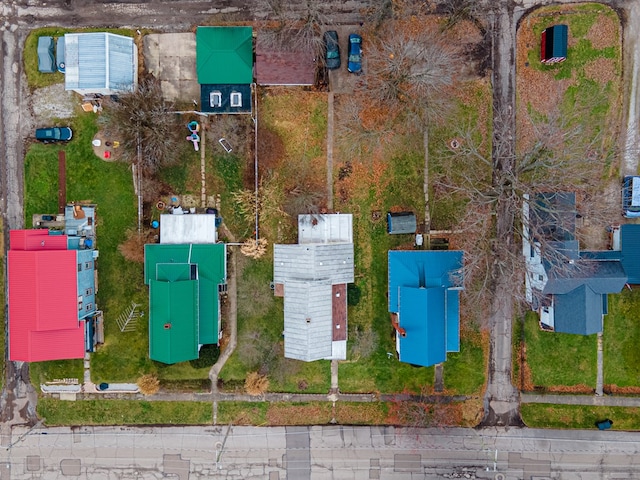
100 62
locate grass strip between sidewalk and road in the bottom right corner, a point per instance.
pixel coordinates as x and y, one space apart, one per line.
578 416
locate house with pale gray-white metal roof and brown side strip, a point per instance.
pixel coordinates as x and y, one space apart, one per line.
312 277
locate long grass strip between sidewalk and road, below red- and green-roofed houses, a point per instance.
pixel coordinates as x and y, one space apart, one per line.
124 412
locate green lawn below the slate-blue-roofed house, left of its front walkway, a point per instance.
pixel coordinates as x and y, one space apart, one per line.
559 358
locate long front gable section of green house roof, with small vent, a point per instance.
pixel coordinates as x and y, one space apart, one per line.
173 321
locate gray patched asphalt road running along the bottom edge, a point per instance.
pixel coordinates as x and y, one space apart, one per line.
320 452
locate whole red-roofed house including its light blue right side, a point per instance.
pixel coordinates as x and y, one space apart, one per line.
51 295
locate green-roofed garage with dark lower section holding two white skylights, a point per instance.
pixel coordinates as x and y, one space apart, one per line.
224 65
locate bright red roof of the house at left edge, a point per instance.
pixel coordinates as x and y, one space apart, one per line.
43 299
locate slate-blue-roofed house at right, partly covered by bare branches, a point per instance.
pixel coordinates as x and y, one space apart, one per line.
568 288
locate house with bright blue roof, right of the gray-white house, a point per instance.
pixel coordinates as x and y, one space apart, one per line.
424 304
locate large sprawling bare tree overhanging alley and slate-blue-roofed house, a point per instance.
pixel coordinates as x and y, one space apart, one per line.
561 157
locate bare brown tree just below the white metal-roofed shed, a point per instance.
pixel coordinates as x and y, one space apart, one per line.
147 129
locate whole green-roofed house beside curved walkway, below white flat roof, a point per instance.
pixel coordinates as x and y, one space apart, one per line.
184 309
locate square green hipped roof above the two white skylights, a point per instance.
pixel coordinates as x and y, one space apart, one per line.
224 55
